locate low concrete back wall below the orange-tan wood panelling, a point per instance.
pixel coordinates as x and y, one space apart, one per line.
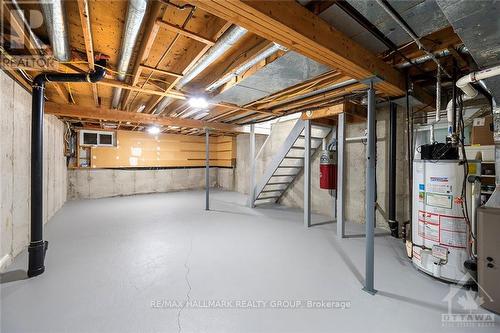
101 183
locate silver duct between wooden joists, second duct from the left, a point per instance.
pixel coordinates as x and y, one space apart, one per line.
135 15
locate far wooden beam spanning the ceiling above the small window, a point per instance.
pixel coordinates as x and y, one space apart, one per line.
77 111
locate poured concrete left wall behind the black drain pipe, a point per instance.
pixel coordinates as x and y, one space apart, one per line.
15 121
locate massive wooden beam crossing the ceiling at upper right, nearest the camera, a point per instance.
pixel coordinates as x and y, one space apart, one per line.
293 26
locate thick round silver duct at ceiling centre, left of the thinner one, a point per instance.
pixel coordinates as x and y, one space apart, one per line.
224 43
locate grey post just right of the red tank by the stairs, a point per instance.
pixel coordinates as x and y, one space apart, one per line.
340 175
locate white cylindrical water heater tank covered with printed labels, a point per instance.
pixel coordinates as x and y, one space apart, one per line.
440 233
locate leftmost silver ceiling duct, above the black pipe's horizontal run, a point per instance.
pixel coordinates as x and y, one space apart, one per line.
55 22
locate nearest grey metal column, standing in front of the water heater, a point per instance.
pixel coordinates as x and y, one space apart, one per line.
370 191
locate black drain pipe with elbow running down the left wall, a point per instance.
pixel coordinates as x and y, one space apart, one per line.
38 247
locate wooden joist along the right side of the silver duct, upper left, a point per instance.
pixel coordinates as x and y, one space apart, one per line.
150 32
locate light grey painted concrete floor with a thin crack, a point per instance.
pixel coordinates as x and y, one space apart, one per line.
113 264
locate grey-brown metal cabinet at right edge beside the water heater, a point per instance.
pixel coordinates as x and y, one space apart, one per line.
488 257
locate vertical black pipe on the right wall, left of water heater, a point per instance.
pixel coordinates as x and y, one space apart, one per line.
393 224
